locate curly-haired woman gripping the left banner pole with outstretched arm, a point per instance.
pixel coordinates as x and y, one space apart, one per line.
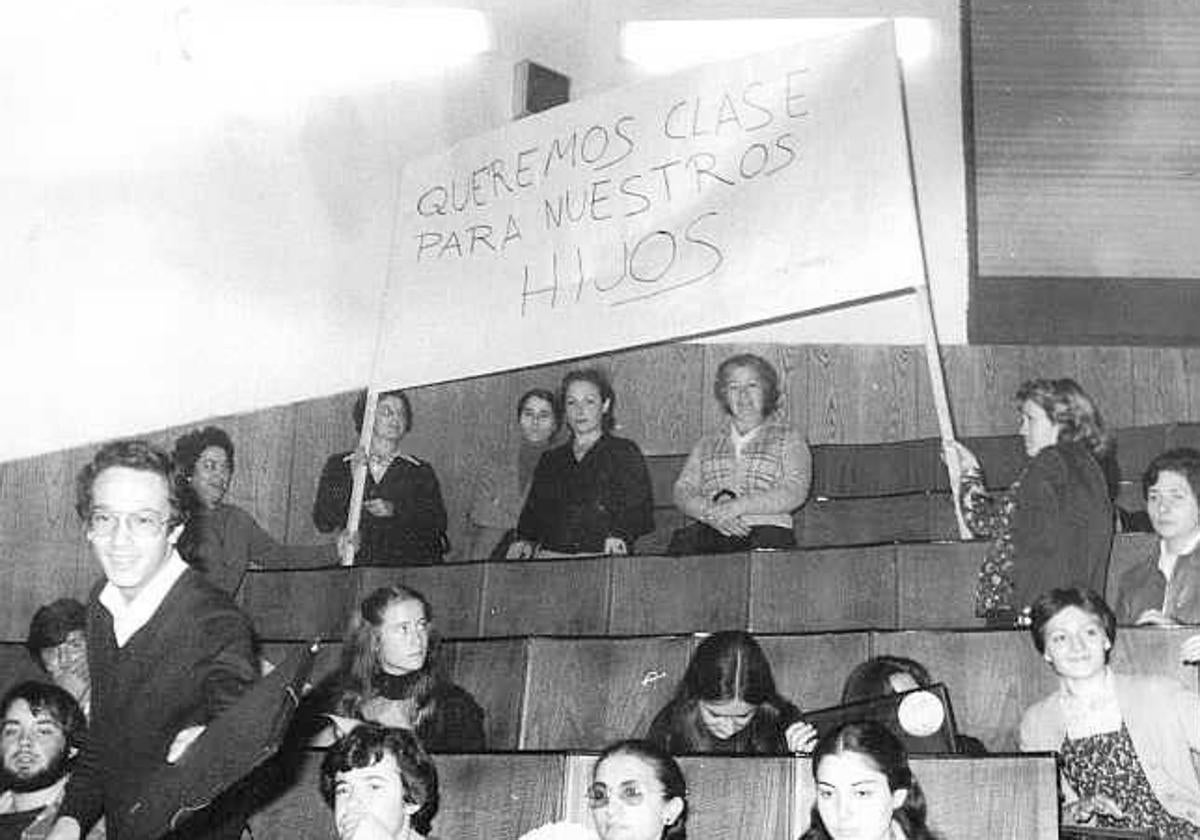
221 539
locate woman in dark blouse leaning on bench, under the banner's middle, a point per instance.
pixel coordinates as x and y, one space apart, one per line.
591 496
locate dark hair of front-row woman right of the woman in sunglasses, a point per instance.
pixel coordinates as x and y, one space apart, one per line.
881 748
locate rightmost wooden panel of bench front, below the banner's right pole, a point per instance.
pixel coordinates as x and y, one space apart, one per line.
937 585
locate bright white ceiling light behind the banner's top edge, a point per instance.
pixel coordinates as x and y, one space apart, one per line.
668 46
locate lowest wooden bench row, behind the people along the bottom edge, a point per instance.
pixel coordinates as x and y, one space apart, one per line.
503 796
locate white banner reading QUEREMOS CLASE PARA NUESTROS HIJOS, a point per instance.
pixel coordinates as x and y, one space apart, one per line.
728 195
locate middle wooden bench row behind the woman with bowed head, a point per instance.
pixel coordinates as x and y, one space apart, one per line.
580 694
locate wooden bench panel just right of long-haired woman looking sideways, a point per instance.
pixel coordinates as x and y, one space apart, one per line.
495 673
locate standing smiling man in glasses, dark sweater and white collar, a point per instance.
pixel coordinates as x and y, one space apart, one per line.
167 650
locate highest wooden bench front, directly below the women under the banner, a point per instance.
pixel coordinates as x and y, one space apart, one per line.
911 586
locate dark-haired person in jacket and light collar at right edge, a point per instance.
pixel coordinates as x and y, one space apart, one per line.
1166 587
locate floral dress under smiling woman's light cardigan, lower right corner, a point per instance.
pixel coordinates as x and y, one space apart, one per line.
1107 764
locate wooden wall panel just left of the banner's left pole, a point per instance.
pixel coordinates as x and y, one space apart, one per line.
322 428
